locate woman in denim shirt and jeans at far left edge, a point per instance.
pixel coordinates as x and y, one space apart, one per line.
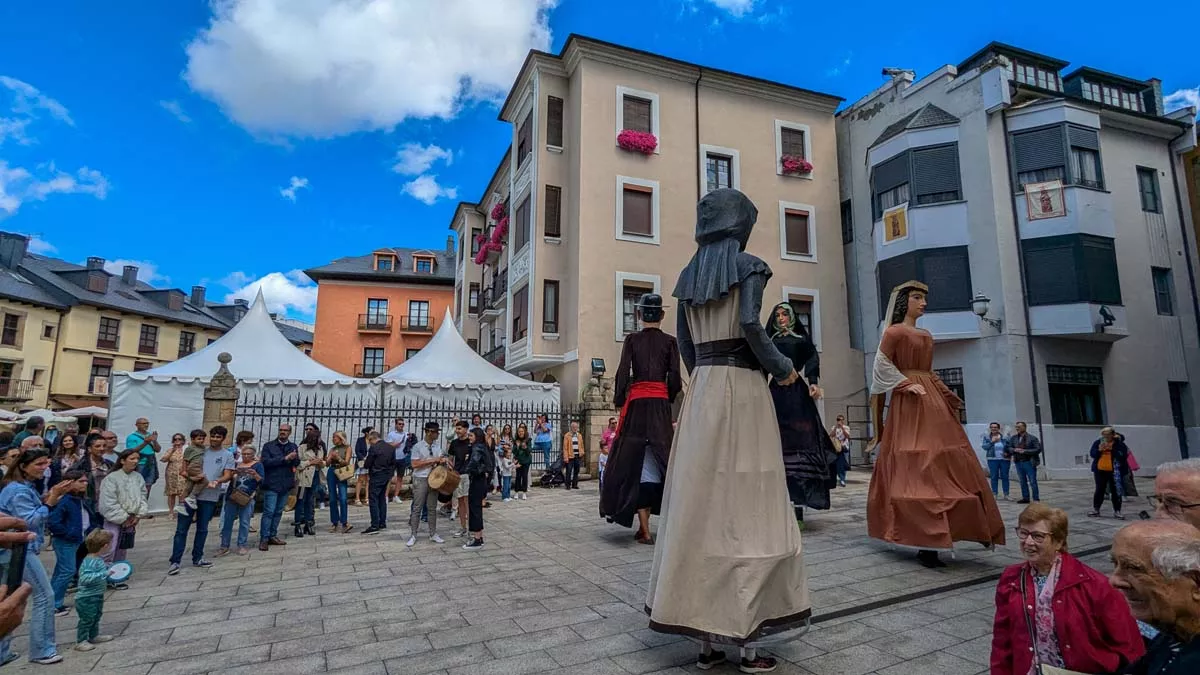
20 499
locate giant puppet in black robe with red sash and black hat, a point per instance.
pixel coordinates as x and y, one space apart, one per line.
647 384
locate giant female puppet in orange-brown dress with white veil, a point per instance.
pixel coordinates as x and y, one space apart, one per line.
928 489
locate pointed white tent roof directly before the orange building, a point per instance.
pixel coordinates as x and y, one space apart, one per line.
449 371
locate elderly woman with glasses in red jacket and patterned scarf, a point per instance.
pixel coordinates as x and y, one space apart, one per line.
1055 611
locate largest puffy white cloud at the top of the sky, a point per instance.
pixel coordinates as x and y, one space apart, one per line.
328 68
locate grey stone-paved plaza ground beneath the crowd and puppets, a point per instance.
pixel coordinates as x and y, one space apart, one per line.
556 590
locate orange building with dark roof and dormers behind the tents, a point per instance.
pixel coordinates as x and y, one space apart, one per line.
375 312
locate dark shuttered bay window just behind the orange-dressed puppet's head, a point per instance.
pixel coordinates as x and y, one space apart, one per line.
947 272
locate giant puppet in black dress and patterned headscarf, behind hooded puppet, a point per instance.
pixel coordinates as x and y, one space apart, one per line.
809 457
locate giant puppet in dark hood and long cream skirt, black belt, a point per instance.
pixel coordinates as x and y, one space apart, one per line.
728 568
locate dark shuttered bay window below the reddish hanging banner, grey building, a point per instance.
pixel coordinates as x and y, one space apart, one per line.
1071 268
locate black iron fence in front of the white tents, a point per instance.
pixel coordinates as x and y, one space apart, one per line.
262 414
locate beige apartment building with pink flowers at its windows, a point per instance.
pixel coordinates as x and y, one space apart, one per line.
611 151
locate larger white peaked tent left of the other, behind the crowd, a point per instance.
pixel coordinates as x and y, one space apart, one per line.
172 397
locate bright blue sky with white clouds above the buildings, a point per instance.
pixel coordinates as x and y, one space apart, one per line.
237 142
